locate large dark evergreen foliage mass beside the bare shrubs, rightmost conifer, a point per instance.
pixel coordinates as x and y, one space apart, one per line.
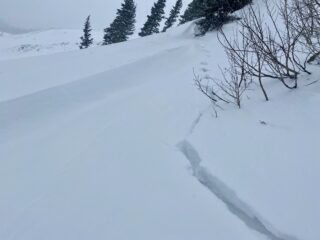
214 13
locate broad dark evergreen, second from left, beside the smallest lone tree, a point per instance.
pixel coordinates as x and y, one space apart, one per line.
123 25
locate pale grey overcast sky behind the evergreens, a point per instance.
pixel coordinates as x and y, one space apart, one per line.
43 14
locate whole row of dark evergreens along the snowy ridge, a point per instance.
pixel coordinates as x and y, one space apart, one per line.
211 14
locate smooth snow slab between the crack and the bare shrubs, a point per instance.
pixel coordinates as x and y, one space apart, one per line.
274 167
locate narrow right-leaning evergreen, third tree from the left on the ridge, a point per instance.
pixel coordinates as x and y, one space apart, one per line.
154 19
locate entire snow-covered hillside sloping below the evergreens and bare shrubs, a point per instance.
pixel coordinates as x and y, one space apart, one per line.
117 143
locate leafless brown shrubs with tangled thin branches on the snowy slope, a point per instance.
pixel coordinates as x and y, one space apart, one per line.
277 45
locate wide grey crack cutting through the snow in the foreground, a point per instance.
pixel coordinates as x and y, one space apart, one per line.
235 205
